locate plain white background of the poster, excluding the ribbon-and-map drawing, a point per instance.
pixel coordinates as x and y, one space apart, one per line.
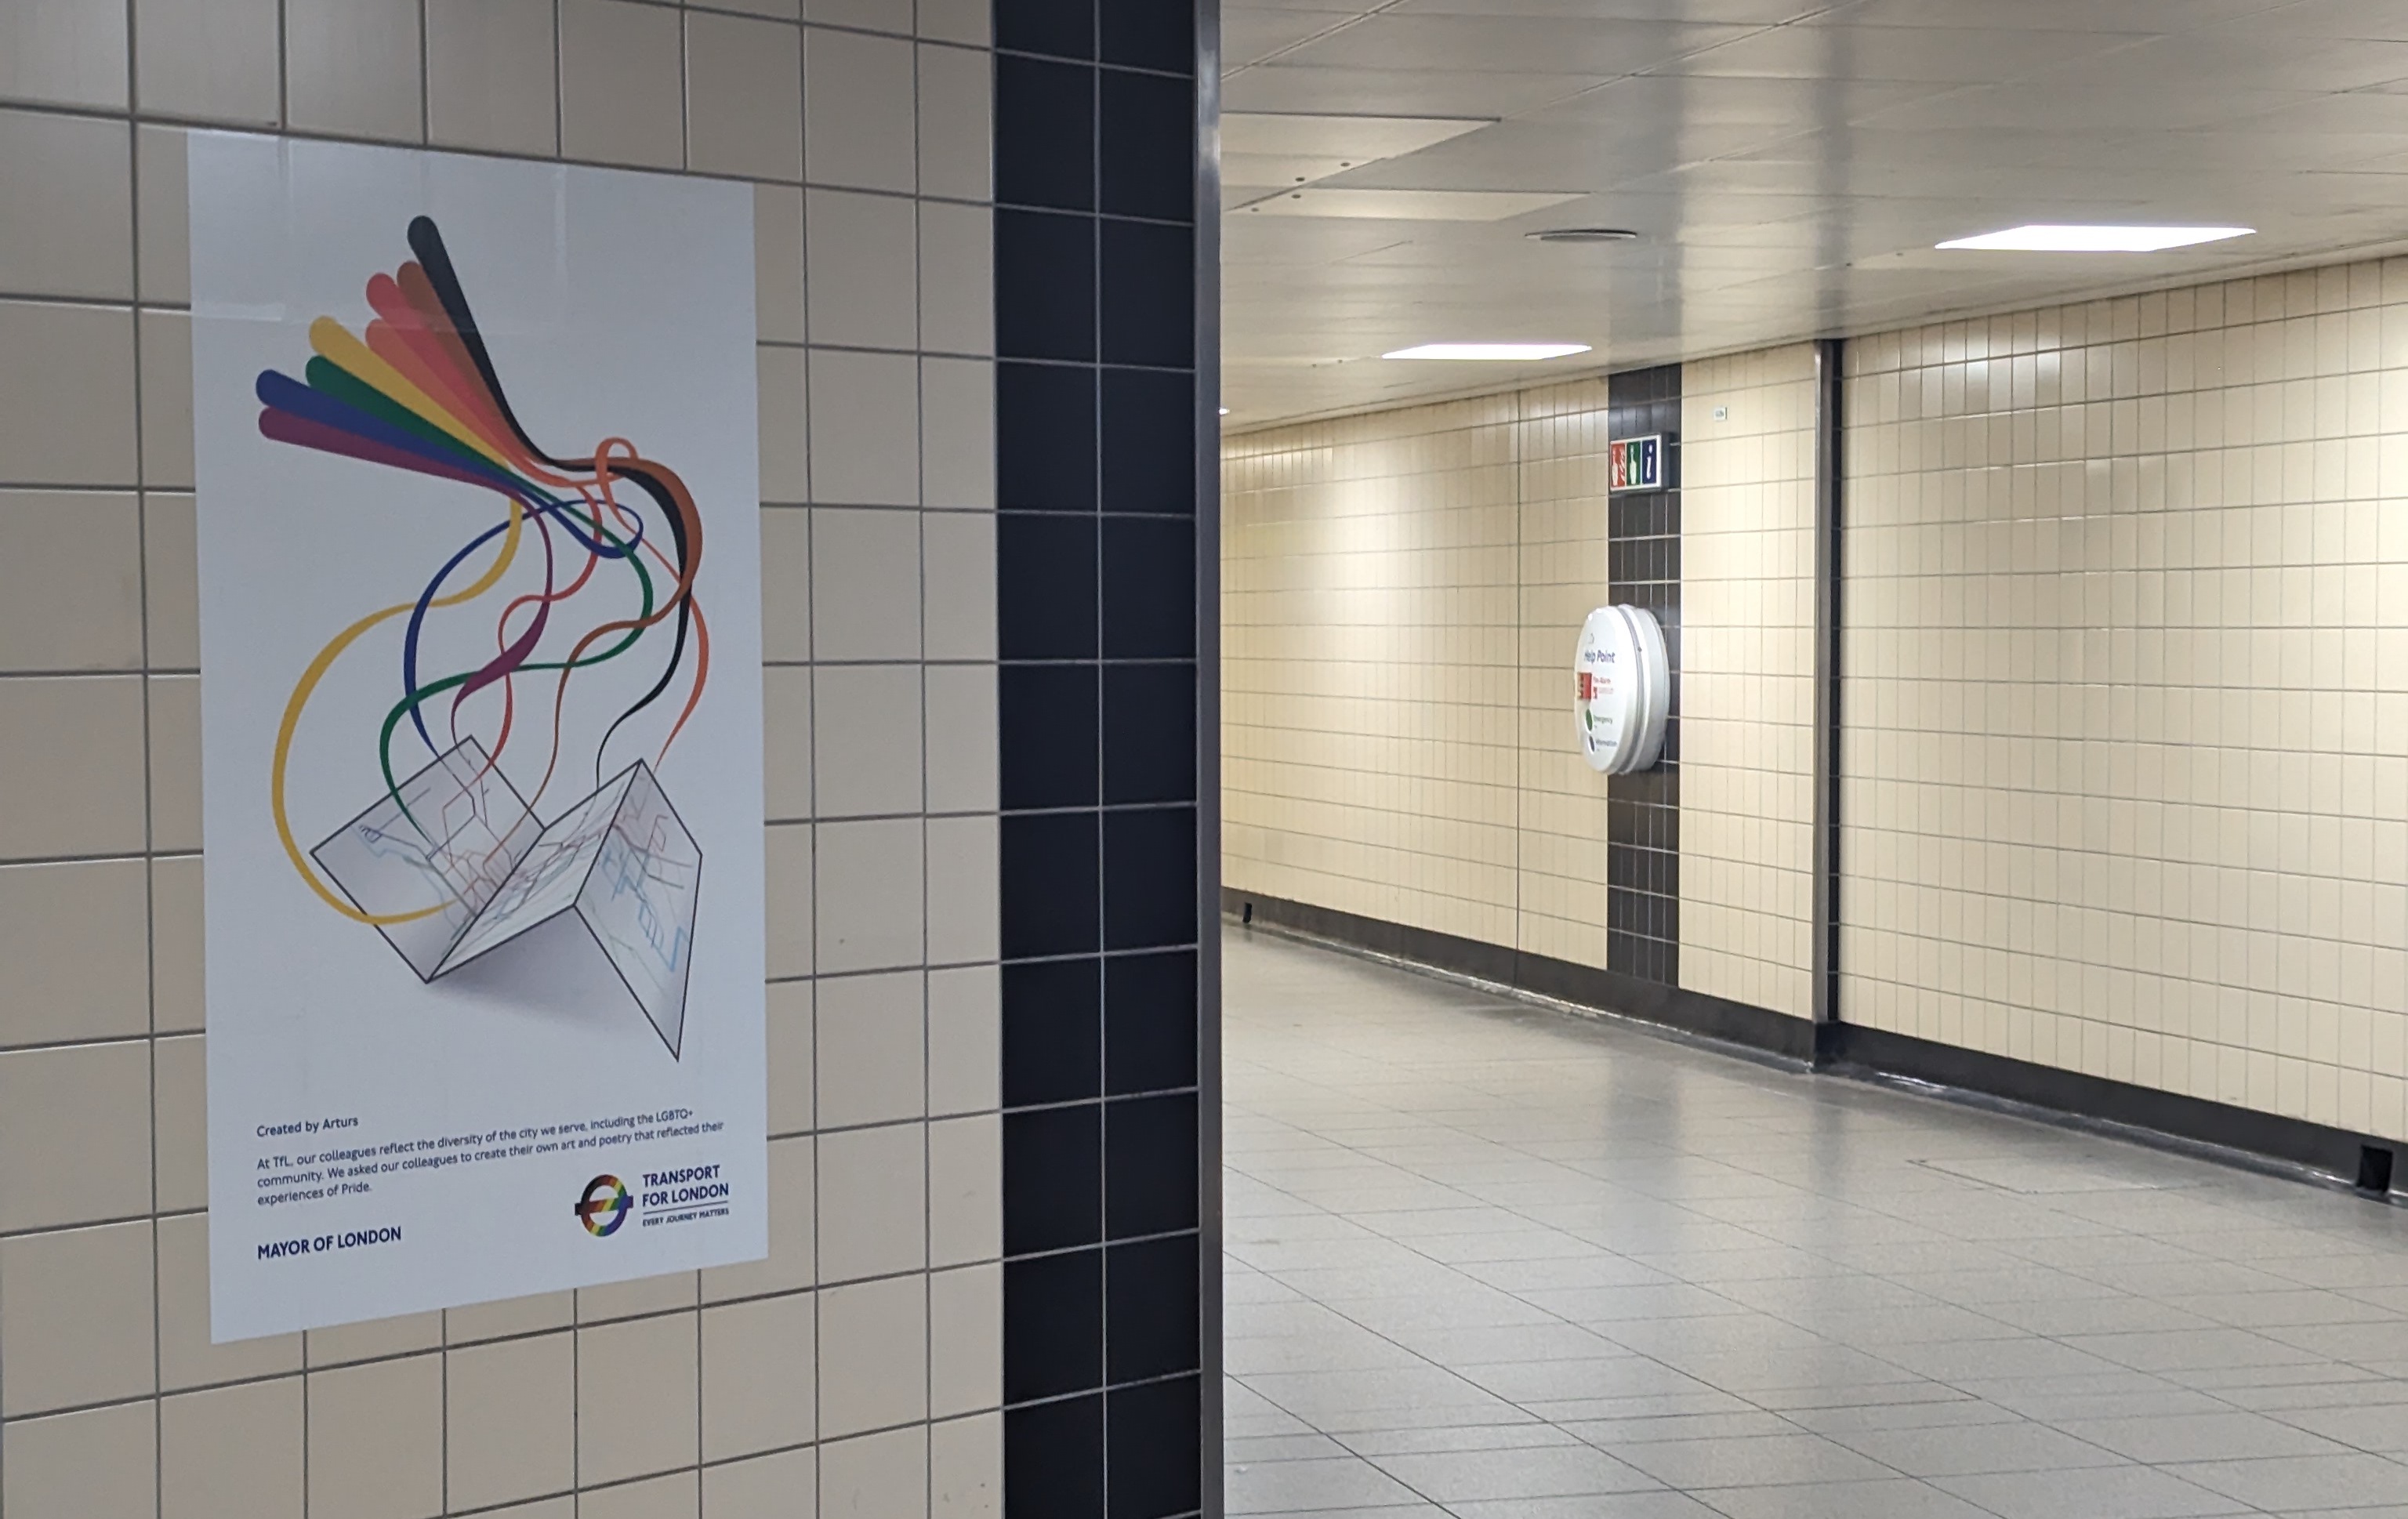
615 307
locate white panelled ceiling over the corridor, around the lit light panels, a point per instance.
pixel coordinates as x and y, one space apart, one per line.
1786 162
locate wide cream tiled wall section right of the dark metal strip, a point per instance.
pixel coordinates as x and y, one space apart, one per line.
2127 690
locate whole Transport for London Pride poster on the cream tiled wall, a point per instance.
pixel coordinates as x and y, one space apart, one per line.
480 644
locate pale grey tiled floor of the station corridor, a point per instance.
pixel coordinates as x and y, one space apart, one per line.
1509 1265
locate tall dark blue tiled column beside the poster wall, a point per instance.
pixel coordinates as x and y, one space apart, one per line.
1104 637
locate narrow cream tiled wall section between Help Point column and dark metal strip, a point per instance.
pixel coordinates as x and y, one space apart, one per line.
1747 743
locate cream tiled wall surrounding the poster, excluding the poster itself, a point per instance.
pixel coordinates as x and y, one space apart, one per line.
854 1373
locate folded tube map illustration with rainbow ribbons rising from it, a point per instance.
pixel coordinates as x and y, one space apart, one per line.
451 861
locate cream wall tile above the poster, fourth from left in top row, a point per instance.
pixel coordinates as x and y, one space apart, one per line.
492 76
